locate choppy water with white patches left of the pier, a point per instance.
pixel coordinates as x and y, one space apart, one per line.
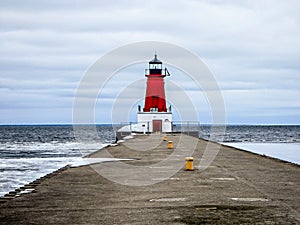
30 152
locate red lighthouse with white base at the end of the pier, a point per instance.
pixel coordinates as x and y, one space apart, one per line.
155 116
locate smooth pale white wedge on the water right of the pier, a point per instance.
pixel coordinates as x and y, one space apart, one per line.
286 151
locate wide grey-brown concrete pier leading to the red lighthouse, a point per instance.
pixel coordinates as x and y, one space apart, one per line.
238 187
